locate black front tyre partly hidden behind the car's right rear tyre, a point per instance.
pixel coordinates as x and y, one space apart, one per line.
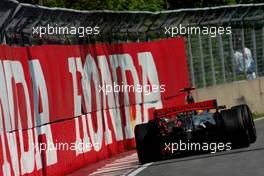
248 121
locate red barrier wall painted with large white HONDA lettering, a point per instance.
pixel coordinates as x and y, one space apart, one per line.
62 107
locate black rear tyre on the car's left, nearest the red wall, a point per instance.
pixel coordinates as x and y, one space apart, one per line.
147 142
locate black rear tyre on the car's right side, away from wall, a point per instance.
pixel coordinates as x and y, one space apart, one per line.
234 128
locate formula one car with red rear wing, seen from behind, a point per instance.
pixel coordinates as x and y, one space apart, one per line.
193 123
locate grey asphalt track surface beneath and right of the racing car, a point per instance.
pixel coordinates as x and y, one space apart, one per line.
240 162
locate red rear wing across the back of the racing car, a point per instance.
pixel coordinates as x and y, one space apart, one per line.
209 104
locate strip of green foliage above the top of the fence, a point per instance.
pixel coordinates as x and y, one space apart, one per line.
148 5
